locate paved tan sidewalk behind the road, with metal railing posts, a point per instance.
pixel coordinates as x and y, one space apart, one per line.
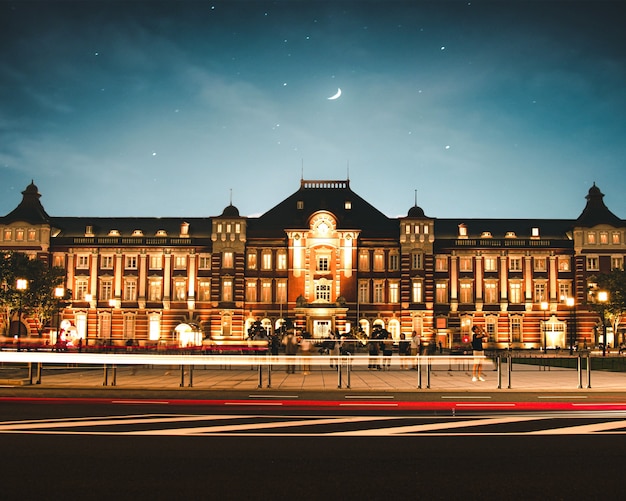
442 377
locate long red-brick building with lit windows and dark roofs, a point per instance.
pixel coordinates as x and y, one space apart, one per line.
327 260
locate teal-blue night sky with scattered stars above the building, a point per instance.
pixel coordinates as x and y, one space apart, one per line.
146 108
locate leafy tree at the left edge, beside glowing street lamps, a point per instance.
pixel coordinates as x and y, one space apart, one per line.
38 299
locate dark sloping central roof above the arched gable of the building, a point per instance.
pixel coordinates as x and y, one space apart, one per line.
330 196
